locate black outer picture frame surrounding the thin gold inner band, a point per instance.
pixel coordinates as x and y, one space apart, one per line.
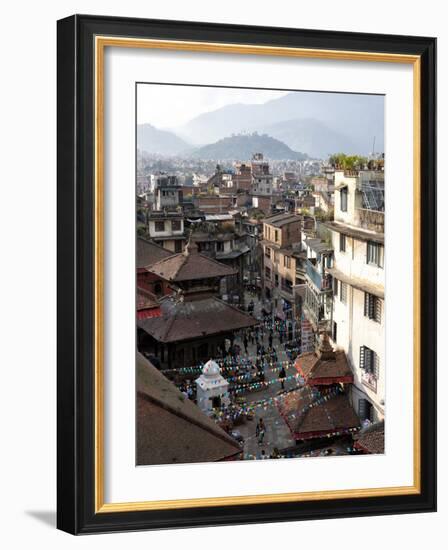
75 174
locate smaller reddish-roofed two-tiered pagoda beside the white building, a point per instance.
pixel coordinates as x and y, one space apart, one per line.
321 407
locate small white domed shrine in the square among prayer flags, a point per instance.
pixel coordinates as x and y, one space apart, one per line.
212 388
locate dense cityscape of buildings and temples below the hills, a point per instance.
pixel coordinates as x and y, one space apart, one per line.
260 308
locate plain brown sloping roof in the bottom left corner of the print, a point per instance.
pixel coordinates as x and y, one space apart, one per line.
171 429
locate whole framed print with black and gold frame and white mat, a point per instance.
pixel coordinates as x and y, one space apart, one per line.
246 274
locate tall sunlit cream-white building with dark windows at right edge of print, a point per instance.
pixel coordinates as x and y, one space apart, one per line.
358 285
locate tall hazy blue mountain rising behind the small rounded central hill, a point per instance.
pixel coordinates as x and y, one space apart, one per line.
315 123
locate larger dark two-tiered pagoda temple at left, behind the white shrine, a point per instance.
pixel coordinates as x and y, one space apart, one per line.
194 322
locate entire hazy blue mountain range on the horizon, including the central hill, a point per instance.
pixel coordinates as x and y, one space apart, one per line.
314 123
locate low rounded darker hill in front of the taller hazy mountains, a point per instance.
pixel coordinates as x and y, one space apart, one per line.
242 147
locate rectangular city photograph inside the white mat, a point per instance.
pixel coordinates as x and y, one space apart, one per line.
260 274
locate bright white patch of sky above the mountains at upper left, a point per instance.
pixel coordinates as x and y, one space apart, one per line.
166 106
